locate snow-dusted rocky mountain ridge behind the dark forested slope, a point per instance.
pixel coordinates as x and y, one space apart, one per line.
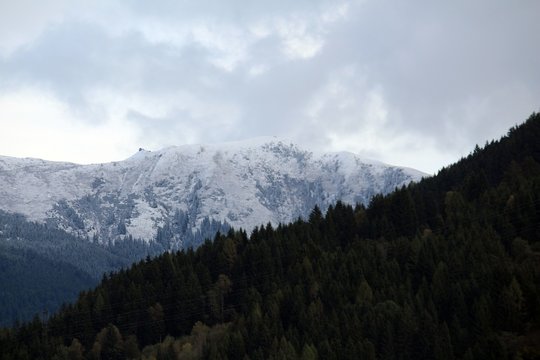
186 188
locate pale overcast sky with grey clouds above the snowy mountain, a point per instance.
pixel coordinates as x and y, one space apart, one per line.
413 83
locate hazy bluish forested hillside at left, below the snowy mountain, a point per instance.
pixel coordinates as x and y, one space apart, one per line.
42 267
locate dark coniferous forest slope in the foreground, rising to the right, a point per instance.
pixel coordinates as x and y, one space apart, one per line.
448 268
